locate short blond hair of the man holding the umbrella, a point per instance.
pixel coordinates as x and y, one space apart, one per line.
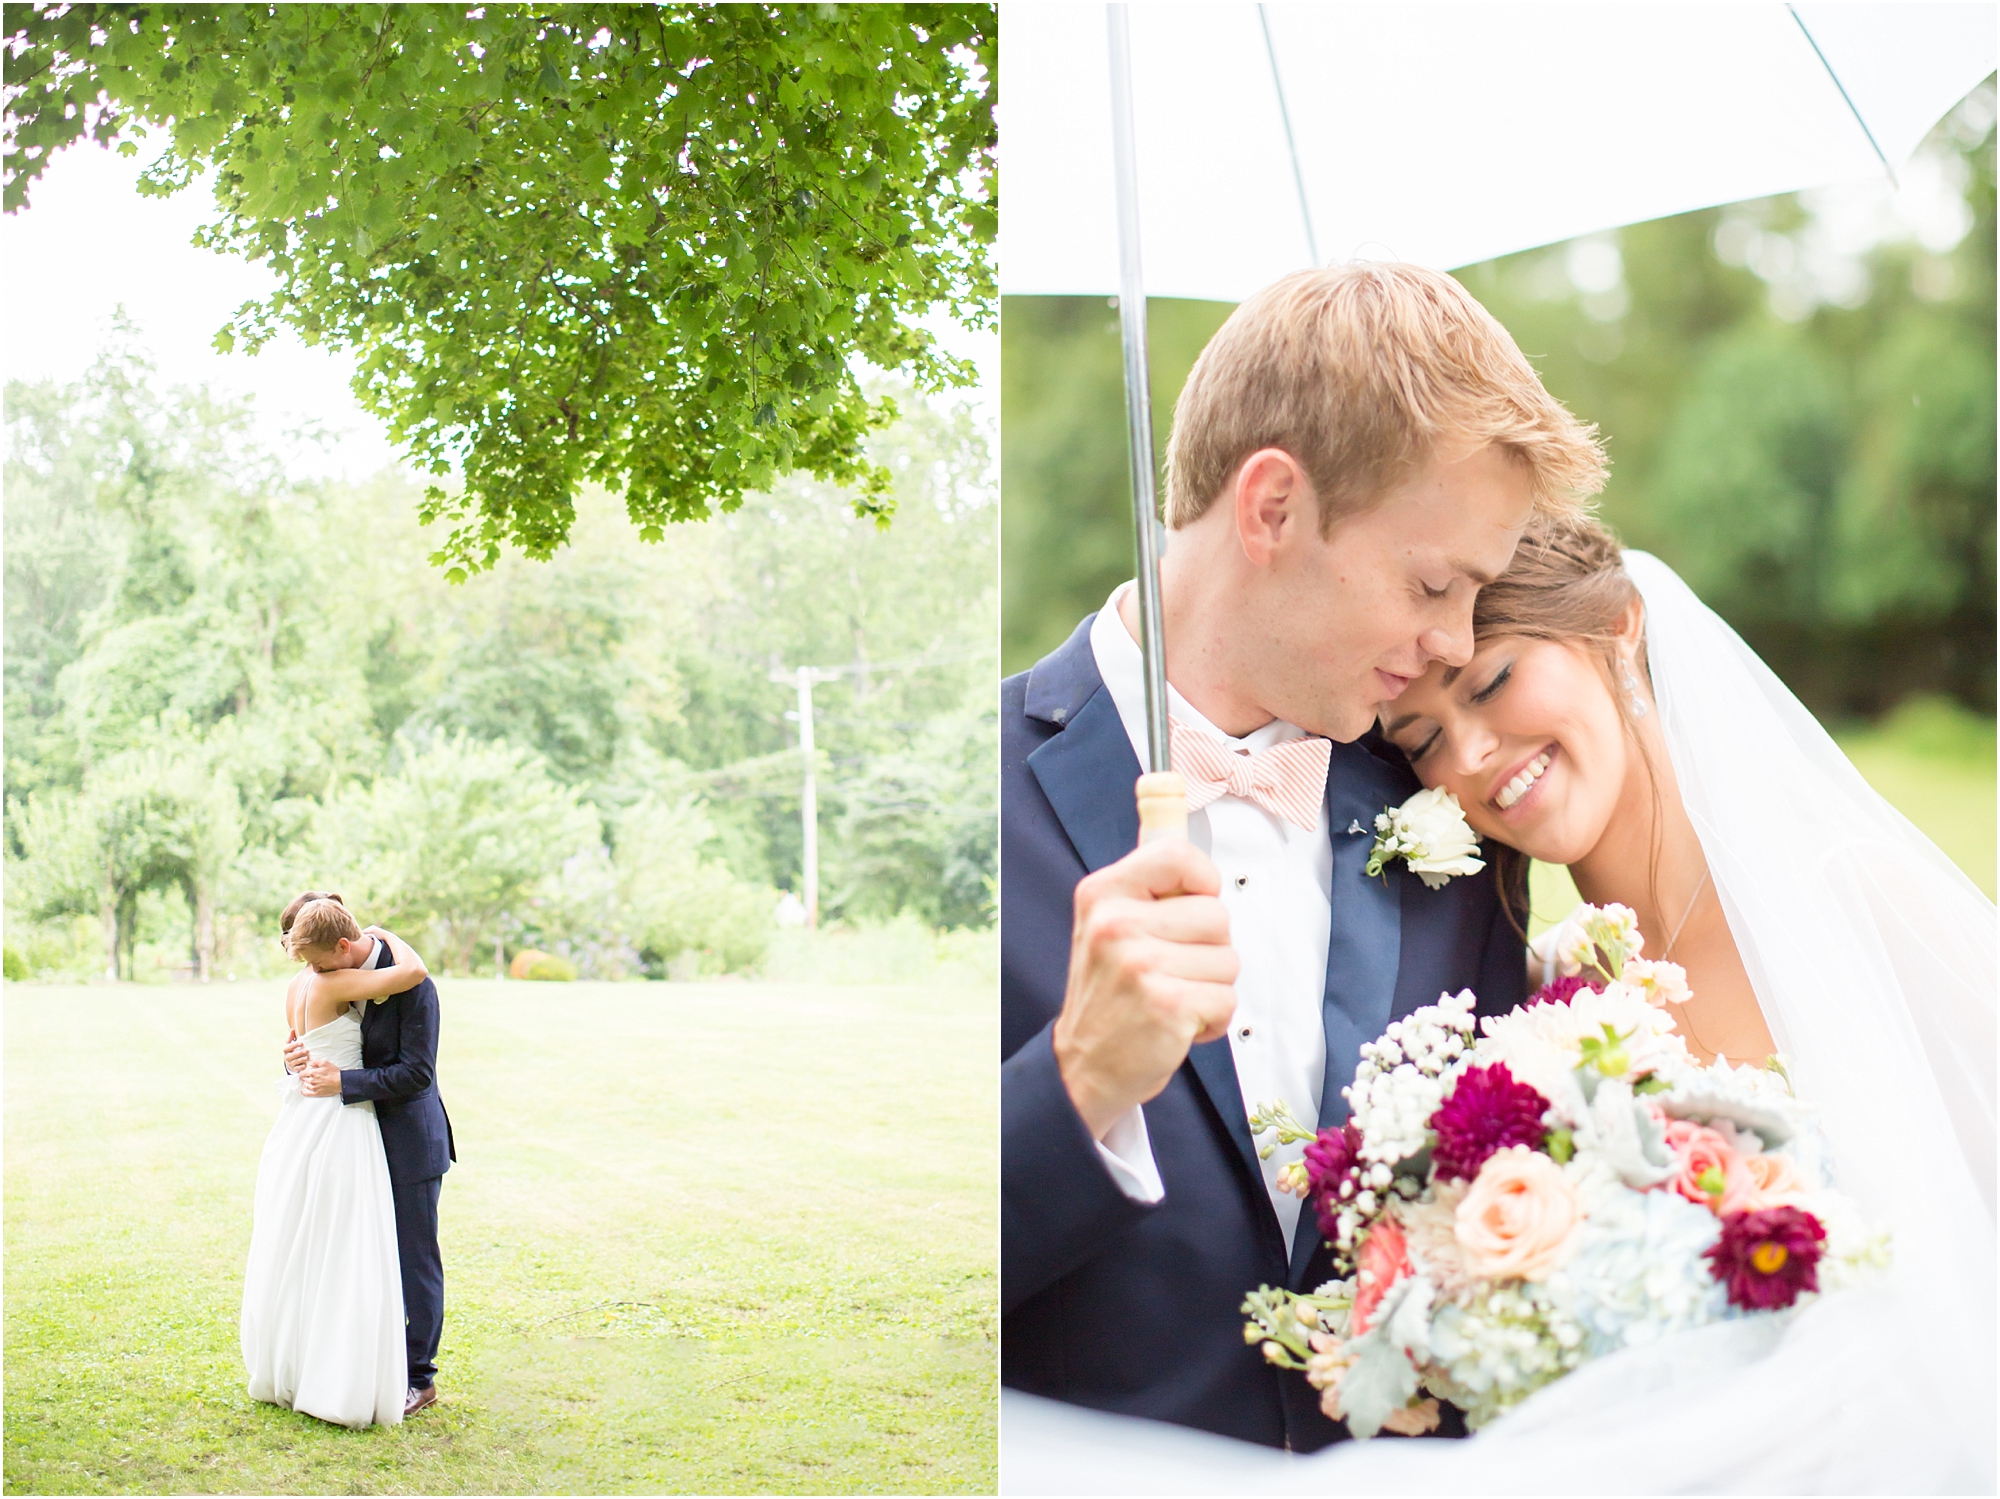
1365 373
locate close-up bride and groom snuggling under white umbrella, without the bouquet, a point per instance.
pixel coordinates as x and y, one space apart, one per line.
1383 577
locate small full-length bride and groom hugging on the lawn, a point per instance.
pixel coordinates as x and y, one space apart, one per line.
345 1288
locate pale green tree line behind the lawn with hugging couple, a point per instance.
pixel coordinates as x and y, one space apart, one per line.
225 685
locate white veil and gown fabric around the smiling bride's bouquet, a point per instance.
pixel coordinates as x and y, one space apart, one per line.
1873 958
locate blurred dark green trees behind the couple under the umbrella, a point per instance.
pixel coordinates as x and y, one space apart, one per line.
1805 433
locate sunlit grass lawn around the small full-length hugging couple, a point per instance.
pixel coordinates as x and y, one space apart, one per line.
719 1238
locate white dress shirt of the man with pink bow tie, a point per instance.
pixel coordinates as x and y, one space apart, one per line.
1279 890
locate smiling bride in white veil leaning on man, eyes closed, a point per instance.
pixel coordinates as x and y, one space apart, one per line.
1635 739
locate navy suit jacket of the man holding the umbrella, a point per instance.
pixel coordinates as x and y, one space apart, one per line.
1131 1308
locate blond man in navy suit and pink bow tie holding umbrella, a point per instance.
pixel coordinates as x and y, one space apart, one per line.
1353 459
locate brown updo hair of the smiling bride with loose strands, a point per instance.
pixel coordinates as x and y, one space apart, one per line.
1569 585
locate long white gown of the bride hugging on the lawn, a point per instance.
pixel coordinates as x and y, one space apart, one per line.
323 1324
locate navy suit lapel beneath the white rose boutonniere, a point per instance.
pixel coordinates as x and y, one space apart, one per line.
1365 942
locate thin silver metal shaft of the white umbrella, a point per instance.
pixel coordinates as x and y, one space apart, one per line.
1139 393
